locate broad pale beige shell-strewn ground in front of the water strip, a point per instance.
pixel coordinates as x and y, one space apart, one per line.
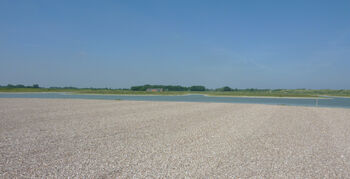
100 138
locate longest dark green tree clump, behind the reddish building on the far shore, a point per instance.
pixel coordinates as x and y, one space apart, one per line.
168 88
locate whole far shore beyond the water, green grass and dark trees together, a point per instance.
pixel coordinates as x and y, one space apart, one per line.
183 91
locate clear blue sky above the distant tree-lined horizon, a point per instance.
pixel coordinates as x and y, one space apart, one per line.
117 44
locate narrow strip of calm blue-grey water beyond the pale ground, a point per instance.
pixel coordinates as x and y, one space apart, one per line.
332 102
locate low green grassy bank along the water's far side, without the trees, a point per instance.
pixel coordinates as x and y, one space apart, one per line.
262 93
